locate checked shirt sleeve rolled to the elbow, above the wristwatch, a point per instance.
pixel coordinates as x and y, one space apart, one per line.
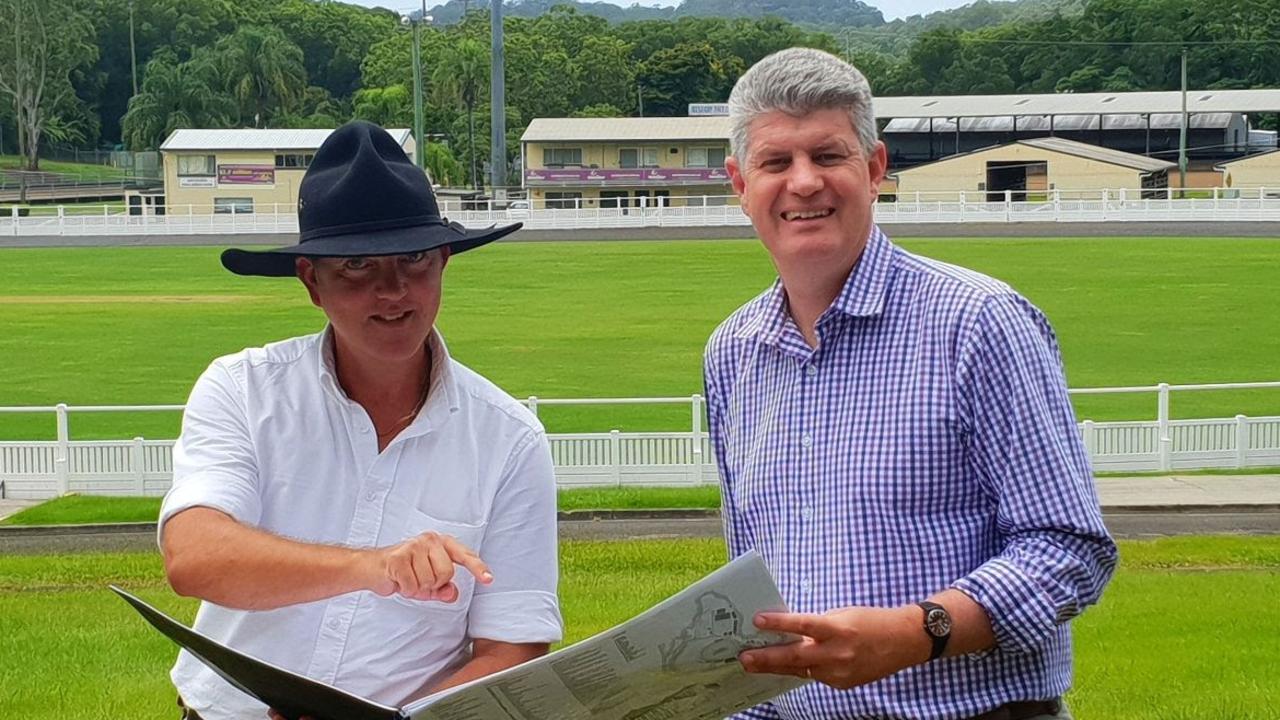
1025 446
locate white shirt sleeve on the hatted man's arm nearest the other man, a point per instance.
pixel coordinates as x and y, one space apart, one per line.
520 549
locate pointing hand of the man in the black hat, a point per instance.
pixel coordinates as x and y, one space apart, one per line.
423 568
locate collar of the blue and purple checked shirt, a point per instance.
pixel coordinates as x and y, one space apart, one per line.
863 294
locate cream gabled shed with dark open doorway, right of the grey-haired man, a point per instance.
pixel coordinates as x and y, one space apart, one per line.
1031 170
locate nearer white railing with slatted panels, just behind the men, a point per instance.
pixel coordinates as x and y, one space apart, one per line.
39 470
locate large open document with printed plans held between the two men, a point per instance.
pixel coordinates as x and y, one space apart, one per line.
678 660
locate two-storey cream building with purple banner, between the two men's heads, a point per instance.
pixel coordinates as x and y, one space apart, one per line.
627 162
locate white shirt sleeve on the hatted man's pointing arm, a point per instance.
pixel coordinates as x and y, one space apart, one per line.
214 461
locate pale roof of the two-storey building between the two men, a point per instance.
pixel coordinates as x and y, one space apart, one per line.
614 130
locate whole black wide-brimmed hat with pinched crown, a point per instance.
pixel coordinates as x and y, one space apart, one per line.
363 197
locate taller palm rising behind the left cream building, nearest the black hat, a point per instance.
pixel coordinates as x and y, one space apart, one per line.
263 71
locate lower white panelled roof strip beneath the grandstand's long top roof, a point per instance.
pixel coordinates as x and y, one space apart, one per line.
1066 124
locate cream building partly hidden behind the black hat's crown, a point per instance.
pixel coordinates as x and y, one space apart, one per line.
239 171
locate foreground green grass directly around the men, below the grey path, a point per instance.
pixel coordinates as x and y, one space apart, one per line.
1182 634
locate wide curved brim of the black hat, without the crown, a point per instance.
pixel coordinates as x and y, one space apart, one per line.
281 262
